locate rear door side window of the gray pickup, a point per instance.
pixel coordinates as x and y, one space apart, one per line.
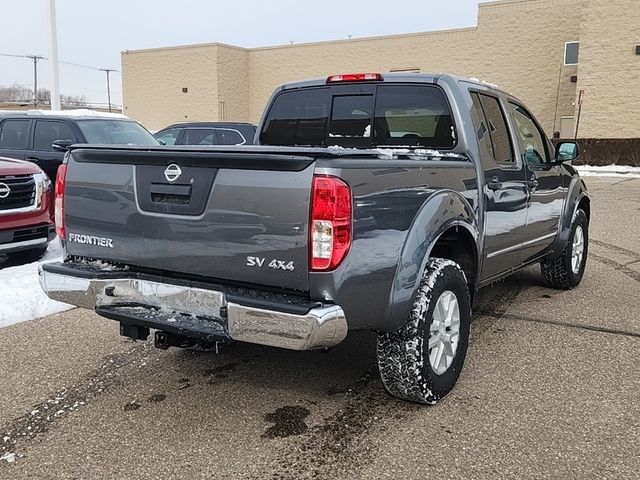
493 128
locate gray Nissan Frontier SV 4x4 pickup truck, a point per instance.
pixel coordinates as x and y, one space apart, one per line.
369 202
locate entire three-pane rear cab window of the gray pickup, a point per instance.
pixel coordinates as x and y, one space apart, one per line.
393 115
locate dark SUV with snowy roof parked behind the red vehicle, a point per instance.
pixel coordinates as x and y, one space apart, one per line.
31 135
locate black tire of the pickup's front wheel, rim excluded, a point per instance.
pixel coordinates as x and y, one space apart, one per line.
558 273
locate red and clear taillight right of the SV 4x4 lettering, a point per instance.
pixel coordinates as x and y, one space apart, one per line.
330 226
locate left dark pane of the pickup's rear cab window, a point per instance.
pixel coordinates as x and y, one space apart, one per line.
298 118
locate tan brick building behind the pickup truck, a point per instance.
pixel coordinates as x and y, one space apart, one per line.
527 47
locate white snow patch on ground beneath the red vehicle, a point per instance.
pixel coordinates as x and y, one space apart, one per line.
21 297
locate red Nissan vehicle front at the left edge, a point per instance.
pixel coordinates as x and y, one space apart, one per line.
26 209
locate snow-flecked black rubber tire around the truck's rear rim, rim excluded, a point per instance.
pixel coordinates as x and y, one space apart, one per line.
403 356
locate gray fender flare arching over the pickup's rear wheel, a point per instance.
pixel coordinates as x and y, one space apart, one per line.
441 212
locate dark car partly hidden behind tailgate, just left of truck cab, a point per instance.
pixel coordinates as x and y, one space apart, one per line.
207 133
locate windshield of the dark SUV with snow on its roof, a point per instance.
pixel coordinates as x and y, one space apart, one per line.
116 132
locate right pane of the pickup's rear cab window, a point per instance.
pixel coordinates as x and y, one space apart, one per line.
414 116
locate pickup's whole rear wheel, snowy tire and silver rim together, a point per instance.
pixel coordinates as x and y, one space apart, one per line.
422 361
